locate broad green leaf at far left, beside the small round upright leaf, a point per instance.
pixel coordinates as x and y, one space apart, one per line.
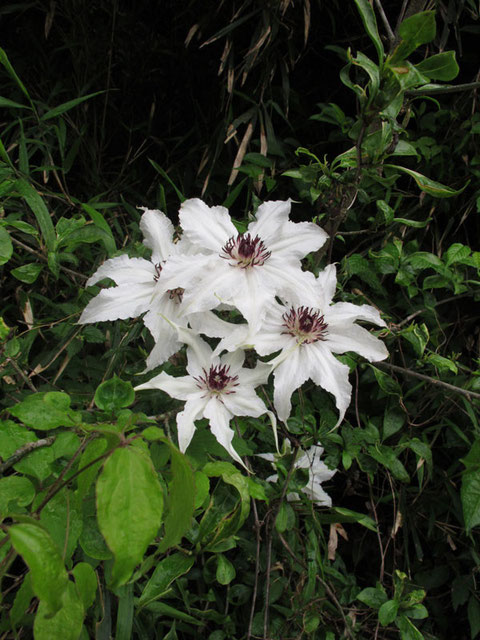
45 411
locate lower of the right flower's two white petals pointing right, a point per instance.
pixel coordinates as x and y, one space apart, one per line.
351 337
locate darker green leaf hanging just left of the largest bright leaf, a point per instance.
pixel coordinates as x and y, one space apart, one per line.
62 518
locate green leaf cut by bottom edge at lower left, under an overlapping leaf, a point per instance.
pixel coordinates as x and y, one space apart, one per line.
67 621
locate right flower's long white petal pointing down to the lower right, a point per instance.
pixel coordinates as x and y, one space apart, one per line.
330 374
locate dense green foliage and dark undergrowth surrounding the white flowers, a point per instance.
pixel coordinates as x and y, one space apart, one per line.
108 529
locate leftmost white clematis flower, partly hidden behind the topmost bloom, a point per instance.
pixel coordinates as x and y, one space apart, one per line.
140 288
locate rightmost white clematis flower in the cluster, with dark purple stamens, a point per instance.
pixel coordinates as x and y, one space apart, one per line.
308 336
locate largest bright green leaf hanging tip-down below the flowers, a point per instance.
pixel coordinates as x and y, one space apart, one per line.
129 508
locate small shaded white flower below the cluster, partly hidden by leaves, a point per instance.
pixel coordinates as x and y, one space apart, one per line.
318 472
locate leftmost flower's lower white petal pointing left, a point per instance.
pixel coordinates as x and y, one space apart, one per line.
118 303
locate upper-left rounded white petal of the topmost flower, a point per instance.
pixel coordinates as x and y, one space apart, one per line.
207 227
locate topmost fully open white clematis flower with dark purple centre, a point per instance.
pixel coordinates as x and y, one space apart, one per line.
248 269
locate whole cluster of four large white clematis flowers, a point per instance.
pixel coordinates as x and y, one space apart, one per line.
212 268
